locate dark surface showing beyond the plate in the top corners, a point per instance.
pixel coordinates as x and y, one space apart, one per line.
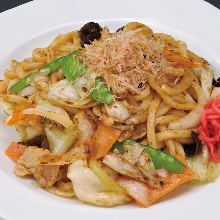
7 4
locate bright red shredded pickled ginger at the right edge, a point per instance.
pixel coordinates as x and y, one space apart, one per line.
209 129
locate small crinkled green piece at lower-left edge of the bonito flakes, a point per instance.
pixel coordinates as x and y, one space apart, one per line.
100 92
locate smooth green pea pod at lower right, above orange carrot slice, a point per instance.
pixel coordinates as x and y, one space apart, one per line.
165 161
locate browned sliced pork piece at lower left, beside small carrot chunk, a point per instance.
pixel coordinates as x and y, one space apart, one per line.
45 167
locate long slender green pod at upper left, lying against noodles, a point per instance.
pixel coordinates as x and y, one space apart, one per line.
56 64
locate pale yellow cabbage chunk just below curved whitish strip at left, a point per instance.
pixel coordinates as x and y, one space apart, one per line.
60 140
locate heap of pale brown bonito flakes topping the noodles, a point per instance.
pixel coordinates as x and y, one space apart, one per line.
125 59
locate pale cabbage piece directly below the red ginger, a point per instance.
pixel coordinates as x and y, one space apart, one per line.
203 169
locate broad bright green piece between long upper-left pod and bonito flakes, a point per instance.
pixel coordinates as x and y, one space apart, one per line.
72 68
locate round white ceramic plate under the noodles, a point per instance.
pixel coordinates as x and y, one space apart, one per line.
34 25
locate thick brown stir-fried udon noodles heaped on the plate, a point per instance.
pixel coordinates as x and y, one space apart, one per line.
153 110
